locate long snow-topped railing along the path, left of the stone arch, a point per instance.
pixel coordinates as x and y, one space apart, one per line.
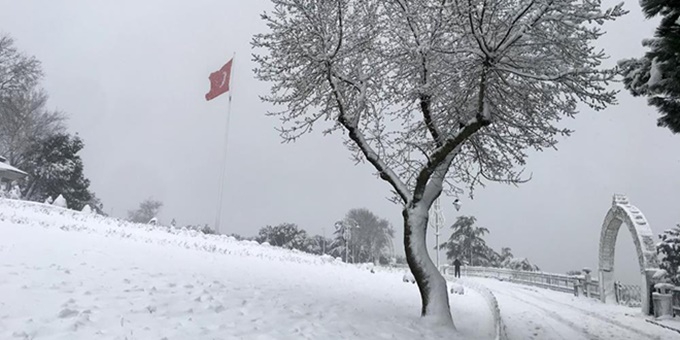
577 285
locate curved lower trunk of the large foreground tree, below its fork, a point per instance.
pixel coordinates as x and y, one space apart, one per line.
432 285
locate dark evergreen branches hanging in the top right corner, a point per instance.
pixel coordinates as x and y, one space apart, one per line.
657 74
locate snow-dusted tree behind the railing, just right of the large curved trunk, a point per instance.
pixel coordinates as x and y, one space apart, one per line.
467 242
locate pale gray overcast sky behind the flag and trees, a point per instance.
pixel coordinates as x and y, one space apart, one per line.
132 76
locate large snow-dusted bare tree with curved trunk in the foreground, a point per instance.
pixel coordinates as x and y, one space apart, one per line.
424 86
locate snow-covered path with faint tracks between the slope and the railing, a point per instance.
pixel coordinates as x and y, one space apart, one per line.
535 313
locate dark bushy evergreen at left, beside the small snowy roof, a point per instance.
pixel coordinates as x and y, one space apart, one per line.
55 168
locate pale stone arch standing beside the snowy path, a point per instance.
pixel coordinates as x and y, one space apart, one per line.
622 212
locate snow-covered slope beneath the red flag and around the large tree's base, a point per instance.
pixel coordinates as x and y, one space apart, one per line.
69 275
